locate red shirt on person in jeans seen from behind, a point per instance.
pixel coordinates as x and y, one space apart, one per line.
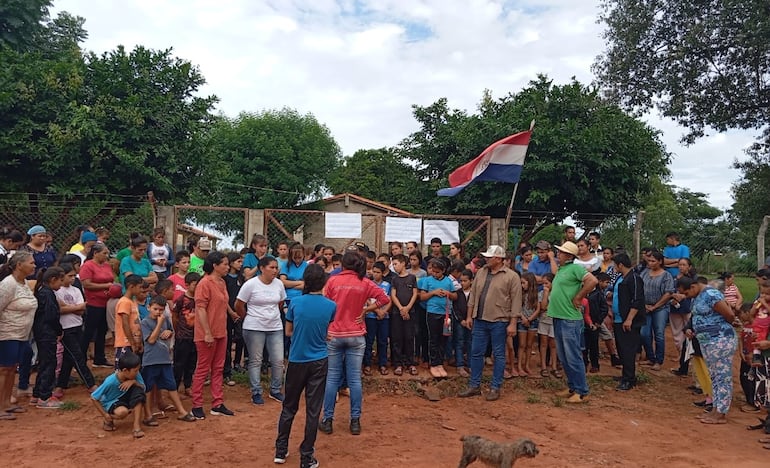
350 294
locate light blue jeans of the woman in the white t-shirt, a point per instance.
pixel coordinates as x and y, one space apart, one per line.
255 342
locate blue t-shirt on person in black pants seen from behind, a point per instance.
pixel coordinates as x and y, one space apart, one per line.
310 314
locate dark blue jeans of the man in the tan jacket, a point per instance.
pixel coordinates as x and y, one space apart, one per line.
482 334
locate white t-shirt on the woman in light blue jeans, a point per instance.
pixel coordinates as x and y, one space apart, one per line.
262 312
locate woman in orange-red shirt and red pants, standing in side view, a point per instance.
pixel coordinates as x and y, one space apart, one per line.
210 339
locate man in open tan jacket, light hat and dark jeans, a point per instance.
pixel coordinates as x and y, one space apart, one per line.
493 307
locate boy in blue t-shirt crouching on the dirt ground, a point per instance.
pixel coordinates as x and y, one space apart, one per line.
121 394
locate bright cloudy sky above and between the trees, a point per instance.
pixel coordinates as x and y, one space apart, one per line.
359 65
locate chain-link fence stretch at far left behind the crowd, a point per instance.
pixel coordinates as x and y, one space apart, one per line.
61 216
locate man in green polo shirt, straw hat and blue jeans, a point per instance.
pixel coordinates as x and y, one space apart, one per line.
565 305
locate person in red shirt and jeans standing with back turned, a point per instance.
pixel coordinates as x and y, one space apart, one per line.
351 291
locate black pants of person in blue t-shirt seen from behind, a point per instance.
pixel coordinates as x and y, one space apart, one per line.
309 377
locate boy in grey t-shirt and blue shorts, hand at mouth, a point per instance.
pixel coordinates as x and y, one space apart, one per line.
157 365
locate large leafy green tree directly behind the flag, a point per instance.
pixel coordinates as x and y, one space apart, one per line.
583 154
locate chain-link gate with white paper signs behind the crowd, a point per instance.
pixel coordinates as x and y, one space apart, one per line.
308 227
